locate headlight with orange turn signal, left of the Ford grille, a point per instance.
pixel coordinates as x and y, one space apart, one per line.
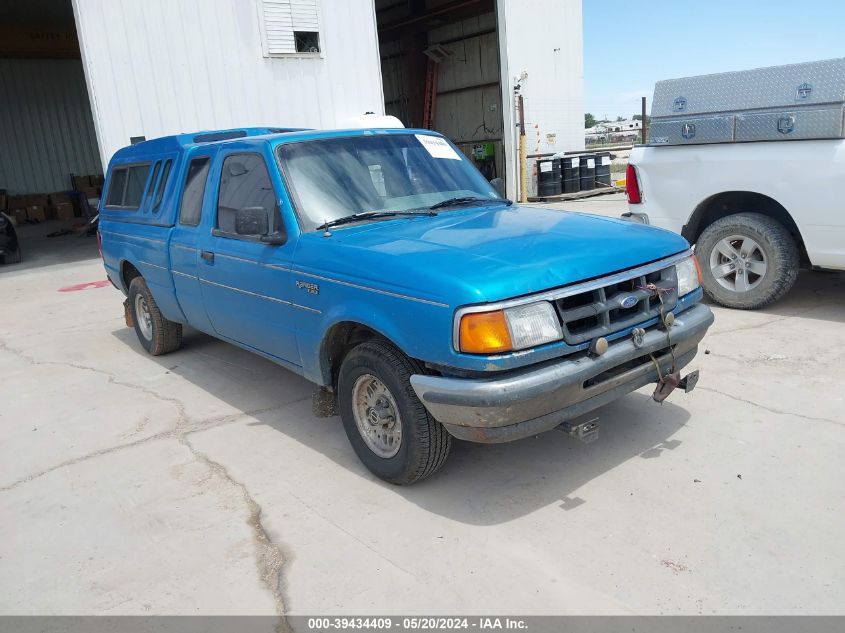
510 329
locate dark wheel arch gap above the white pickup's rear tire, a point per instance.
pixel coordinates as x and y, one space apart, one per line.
727 203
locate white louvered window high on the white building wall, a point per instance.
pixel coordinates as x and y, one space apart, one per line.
290 27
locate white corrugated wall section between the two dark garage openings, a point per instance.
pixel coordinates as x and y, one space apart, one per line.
162 67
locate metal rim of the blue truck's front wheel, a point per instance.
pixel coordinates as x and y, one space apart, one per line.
376 416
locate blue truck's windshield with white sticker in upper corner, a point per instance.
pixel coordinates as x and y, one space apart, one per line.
337 177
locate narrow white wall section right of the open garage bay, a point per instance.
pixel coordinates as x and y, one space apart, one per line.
544 39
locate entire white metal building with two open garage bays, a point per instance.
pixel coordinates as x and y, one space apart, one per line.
82 78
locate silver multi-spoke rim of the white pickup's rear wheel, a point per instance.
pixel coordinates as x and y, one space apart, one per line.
738 263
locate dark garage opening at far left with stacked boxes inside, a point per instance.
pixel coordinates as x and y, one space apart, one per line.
50 167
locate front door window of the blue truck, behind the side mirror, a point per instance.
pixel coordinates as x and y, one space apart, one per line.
245 183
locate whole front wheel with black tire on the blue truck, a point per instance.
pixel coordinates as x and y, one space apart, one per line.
389 428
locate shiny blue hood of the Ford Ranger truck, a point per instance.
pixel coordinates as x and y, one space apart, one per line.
478 255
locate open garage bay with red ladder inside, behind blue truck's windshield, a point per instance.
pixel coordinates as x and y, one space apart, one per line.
441 71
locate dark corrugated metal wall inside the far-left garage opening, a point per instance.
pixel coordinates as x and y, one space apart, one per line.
46 128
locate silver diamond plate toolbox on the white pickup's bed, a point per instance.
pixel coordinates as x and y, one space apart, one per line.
794 102
